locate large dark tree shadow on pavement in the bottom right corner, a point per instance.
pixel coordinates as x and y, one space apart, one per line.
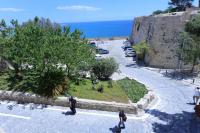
185 122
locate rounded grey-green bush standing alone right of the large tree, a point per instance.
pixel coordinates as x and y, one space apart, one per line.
104 68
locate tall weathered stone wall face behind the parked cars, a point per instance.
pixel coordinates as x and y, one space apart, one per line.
162 33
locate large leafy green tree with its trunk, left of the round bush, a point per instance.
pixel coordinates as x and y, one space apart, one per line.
40 48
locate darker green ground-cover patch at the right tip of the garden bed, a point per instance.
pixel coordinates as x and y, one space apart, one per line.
133 89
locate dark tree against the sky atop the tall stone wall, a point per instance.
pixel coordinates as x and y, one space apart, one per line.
181 5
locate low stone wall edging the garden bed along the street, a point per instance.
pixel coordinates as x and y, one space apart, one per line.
132 108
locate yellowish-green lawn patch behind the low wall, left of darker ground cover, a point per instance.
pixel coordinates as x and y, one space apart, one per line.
85 91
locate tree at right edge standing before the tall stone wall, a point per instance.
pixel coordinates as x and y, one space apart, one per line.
190 42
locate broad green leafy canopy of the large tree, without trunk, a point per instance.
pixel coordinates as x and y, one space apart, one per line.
42 44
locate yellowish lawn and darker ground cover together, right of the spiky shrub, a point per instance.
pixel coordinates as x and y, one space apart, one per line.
122 91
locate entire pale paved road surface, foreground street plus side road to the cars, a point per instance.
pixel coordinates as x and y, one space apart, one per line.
172 113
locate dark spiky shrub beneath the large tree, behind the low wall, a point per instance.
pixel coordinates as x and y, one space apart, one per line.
52 83
